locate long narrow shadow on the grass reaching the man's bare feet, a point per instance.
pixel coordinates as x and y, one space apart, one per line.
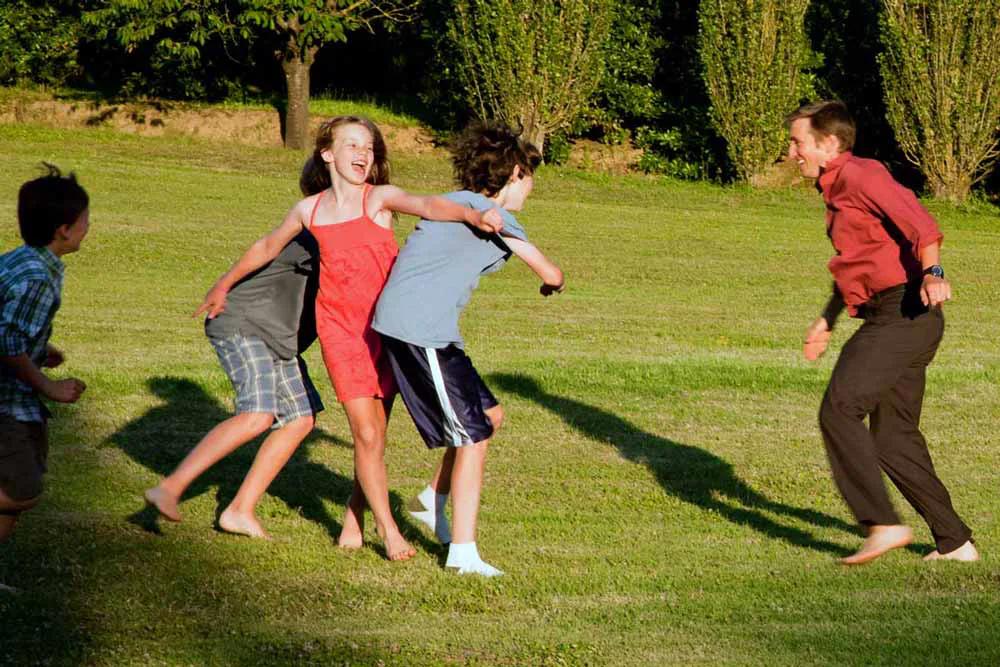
689 473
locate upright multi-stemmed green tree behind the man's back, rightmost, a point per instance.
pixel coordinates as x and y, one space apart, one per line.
941 68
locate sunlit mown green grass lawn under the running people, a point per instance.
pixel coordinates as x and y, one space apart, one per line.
658 495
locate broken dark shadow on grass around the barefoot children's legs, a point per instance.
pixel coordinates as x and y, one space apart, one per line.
161 438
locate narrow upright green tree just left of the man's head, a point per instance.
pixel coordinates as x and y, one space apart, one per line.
753 52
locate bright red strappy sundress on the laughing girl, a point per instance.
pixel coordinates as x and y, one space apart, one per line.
355 259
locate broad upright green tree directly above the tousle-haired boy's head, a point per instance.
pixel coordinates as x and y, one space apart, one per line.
533 63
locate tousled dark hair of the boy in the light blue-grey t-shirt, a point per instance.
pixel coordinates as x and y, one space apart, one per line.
485 153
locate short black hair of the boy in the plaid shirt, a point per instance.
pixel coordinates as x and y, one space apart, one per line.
47 203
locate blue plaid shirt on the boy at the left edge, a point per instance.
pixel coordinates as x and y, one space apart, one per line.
30 289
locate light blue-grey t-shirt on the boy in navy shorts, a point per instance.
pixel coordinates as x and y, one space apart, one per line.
435 274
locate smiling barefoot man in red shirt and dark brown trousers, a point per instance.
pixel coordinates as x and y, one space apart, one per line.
887 271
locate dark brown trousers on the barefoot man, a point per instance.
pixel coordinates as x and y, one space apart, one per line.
880 375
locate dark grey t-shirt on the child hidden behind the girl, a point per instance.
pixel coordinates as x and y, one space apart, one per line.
277 302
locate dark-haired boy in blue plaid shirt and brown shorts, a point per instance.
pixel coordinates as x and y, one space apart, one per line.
53 215
